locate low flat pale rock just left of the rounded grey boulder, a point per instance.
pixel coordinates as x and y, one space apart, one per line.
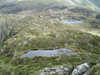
57 70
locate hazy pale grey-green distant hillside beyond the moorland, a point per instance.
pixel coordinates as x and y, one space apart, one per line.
14 6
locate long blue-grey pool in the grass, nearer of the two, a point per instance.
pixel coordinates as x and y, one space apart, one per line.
48 53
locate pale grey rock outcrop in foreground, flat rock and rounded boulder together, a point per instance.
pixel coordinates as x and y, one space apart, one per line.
82 69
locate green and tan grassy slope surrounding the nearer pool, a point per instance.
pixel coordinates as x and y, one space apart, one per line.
33 32
